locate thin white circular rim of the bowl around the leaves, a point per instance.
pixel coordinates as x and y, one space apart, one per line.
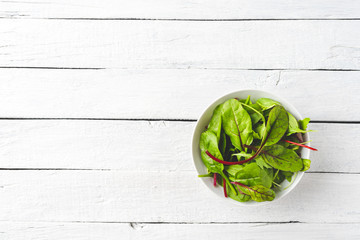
296 177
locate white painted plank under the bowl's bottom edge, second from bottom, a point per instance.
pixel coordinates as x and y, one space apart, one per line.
135 196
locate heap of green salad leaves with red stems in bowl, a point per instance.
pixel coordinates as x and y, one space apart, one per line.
250 148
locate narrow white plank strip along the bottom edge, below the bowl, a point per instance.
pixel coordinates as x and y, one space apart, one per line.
114 231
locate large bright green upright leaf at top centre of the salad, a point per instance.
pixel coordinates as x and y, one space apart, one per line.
237 124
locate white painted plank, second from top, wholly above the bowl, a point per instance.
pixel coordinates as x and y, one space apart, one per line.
180 44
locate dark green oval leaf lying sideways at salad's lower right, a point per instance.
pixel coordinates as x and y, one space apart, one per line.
282 158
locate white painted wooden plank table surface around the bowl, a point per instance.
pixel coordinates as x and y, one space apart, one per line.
98 100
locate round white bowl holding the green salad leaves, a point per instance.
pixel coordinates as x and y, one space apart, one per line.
204 121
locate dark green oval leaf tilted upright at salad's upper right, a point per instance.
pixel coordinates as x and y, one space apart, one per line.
277 125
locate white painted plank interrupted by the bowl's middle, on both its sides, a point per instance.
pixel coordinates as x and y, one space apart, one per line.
143 146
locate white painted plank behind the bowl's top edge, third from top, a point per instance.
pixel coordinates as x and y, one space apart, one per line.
168 93
